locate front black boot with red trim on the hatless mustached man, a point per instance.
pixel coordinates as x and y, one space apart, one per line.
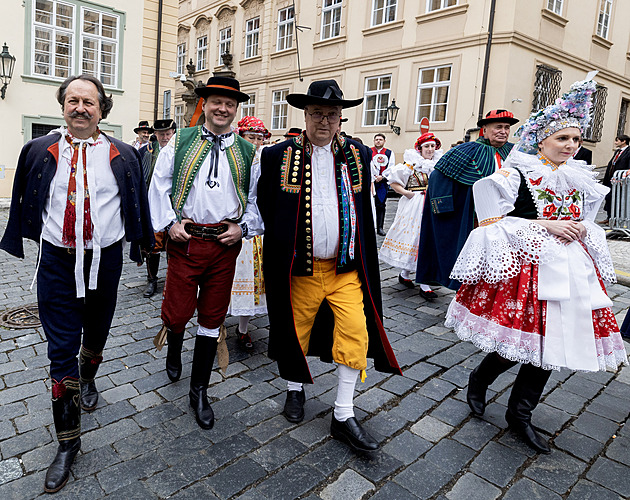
67 418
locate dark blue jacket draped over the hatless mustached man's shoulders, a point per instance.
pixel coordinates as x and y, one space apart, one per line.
36 168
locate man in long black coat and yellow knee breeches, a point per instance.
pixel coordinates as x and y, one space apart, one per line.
320 262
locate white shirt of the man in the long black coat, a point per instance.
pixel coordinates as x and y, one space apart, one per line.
325 211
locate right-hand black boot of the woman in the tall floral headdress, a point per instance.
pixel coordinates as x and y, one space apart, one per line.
528 388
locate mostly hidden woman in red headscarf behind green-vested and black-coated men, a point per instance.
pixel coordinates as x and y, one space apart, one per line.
248 289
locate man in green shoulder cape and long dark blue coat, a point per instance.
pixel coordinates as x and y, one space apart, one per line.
450 219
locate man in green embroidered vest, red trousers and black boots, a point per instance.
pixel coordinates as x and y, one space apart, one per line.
203 192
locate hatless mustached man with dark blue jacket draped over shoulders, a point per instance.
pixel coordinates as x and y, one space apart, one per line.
78 193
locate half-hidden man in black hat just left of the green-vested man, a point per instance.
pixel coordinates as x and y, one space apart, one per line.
163 130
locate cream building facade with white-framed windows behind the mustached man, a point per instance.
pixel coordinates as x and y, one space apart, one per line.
114 40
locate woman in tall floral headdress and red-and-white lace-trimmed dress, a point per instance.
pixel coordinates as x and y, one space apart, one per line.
533 272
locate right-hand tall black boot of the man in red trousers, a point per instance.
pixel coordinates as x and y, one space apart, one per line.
203 359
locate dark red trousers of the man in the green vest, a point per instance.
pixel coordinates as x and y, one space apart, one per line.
199 276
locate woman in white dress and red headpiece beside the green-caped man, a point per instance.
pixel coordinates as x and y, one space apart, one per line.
410 179
